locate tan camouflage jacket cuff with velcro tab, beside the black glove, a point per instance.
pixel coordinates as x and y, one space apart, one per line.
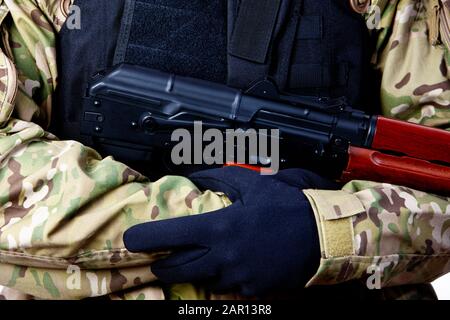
334 211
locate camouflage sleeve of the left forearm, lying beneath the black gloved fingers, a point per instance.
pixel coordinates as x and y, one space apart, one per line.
63 211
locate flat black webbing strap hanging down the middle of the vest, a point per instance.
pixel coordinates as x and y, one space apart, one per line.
254 28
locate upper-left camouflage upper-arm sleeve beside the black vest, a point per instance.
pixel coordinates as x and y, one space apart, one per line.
29 41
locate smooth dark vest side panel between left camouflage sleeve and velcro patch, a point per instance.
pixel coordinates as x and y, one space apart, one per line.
81 53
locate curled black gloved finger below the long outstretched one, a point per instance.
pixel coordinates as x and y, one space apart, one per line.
197 270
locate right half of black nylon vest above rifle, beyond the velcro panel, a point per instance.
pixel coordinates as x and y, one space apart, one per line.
318 48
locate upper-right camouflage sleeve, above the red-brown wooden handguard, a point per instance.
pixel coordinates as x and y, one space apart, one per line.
413 59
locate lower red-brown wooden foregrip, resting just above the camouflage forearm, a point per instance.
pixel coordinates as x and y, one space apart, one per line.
405 171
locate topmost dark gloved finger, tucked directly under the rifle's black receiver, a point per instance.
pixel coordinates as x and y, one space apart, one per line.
229 180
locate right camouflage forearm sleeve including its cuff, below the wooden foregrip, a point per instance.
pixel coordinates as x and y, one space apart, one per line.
384 234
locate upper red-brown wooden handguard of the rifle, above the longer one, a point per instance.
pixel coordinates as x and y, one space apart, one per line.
414 140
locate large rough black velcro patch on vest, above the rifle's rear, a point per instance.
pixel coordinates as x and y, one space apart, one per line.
185 37
